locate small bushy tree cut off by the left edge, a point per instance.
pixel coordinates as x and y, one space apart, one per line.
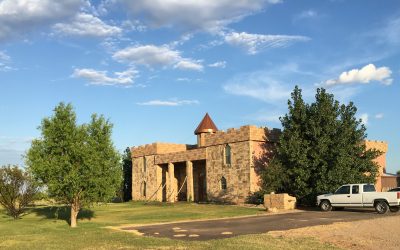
17 190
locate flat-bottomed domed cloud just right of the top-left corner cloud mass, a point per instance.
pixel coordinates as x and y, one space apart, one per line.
85 24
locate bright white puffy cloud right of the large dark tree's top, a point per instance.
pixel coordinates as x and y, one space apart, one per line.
364 75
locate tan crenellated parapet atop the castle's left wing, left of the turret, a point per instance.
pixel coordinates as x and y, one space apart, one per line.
157 148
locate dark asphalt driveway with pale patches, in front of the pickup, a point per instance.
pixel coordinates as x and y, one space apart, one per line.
223 228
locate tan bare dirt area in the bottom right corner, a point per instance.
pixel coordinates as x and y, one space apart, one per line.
380 233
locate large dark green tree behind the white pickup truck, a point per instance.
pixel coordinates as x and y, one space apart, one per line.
321 147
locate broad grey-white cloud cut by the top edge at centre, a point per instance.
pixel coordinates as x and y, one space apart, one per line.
195 14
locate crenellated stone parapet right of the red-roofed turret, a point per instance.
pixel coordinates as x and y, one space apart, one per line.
244 133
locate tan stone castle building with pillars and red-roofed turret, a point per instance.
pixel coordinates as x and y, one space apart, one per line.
220 167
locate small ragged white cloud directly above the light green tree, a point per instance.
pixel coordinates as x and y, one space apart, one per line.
95 77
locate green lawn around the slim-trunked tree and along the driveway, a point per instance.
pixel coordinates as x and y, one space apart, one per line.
47 228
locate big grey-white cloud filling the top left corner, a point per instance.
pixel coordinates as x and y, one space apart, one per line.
20 16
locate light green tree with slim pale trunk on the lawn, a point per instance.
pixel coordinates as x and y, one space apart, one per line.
78 163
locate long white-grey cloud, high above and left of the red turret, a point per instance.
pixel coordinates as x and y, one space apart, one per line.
151 55
